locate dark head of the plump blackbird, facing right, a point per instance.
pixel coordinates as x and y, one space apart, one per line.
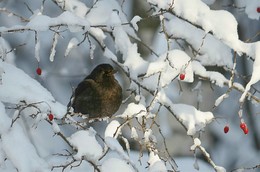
103 73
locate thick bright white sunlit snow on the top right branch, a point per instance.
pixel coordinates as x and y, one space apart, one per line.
213 21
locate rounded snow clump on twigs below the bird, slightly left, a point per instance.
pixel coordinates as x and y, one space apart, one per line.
86 144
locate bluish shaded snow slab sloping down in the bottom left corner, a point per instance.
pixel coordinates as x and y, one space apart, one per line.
17 147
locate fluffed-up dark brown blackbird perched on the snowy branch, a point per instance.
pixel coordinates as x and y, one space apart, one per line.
98 95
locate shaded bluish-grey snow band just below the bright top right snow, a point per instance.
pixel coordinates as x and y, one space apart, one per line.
219 55
